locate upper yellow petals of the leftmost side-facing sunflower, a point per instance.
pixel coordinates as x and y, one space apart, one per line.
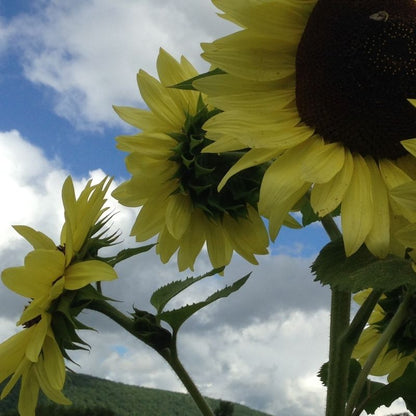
48 270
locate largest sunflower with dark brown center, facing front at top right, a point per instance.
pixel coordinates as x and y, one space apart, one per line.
323 91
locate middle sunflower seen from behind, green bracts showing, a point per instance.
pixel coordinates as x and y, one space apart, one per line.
175 184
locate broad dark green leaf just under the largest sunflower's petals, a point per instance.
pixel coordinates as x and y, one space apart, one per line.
361 270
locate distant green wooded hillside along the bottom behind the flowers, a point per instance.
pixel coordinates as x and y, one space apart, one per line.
92 395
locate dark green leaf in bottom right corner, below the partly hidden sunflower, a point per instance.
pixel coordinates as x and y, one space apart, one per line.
404 387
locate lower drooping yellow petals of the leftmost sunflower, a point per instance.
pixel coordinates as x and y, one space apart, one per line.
34 356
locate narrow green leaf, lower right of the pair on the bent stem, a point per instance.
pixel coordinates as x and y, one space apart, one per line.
175 318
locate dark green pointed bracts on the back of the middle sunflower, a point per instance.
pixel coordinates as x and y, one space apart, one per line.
200 173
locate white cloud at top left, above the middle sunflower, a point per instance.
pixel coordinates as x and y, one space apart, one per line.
89 52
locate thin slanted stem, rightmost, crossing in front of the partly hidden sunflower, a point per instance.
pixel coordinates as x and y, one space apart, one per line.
390 330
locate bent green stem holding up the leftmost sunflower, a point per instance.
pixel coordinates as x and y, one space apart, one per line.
169 354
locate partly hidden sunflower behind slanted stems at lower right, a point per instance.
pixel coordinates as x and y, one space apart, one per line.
401 350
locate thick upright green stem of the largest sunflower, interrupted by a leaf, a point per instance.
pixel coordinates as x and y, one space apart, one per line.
339 353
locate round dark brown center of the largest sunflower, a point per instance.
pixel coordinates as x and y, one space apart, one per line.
355 70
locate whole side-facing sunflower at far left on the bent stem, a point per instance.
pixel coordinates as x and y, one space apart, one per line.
36 354
